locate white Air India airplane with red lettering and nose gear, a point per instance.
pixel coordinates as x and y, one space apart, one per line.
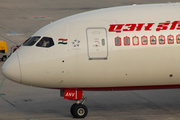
134 47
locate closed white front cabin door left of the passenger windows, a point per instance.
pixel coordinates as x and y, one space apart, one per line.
97 44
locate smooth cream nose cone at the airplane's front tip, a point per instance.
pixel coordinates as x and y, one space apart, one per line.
11 68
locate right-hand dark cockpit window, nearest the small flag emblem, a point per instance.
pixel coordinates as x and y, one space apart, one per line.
45 42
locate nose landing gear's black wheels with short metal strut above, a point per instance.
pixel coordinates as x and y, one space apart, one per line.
79 110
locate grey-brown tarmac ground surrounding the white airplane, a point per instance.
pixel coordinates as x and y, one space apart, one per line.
19 19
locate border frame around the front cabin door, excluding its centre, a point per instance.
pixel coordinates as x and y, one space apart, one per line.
88 45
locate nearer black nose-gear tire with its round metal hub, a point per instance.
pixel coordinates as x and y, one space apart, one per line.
79 111
